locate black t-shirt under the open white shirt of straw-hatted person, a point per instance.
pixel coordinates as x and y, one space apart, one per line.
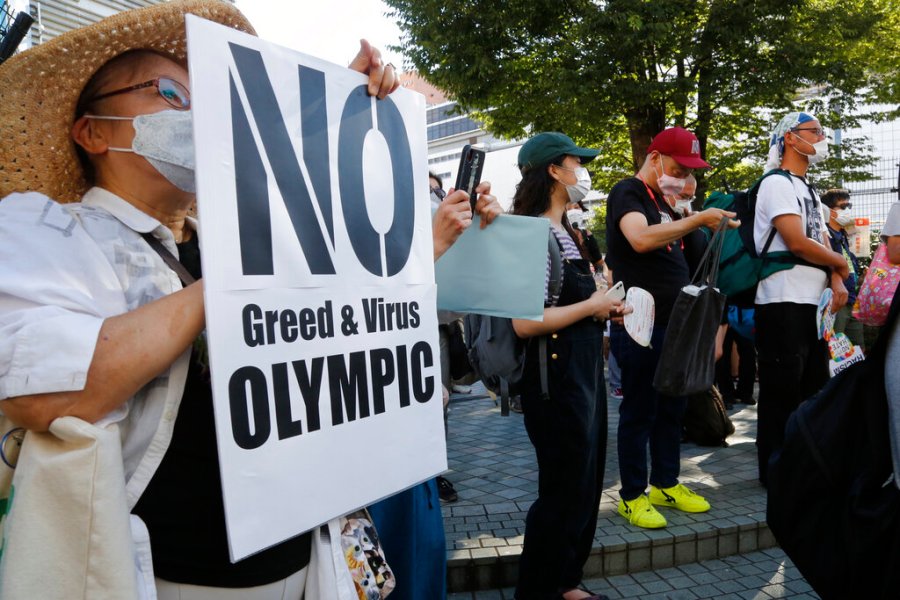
182 505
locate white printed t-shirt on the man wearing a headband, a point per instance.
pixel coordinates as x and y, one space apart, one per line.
780 196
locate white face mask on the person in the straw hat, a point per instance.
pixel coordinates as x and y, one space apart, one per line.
166 140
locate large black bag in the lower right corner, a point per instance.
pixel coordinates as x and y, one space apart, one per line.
833 504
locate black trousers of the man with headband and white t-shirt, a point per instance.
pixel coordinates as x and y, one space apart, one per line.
793 365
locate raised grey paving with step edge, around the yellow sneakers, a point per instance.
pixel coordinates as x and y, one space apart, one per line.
493 468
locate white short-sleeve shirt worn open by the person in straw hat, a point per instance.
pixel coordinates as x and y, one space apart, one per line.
64 269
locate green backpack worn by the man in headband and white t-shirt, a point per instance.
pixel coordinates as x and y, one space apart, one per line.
741 267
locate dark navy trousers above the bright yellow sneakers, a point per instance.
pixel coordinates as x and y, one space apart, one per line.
646 417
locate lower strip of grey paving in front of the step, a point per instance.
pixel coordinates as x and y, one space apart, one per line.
756 576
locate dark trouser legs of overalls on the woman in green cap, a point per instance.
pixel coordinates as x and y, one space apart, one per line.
568 431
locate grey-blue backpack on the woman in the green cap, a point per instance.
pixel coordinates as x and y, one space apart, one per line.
497 354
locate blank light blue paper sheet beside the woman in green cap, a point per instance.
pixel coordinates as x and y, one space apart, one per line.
499 270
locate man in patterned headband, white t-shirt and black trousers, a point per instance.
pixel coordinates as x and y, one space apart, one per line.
793 362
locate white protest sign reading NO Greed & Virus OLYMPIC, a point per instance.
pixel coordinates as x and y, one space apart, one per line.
319 285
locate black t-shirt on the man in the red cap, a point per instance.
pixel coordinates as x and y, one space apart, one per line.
662 272
